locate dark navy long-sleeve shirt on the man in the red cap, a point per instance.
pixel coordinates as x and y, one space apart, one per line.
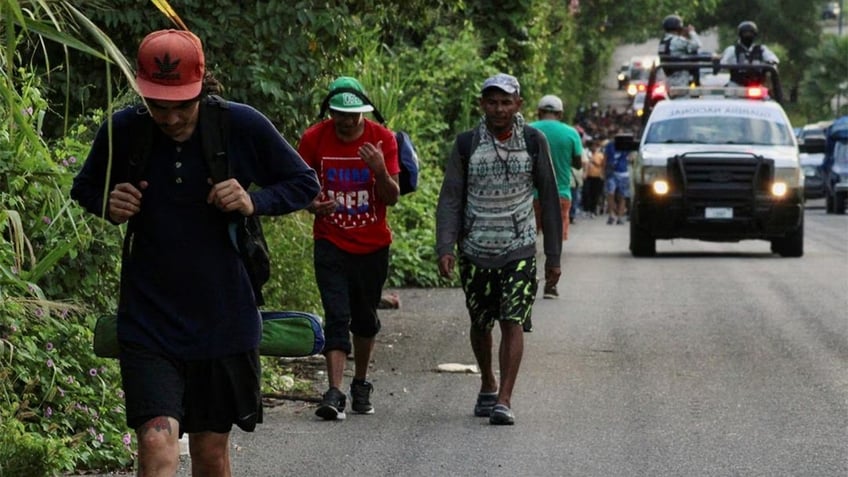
184 290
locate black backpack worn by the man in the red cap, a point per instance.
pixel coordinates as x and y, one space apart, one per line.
213 122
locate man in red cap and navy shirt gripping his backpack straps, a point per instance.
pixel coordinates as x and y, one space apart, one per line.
188 322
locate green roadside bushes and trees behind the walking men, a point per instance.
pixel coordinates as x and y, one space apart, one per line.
422 63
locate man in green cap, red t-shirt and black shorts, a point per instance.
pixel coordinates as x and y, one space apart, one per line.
357 164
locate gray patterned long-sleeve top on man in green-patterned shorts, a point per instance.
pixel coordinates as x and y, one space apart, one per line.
490 216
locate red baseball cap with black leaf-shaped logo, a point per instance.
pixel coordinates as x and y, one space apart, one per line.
170 66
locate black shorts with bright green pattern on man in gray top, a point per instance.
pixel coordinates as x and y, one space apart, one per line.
498 294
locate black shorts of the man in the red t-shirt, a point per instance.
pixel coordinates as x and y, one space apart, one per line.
351 286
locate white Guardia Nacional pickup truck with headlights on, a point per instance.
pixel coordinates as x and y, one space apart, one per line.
716 163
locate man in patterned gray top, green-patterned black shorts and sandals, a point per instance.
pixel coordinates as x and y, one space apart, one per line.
485 224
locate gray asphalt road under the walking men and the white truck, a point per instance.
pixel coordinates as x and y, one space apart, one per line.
708 360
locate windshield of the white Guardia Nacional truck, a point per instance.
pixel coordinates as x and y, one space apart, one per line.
719 130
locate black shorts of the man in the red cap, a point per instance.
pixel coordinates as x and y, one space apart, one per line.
202 395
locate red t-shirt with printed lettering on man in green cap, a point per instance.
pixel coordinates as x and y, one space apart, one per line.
358 224
